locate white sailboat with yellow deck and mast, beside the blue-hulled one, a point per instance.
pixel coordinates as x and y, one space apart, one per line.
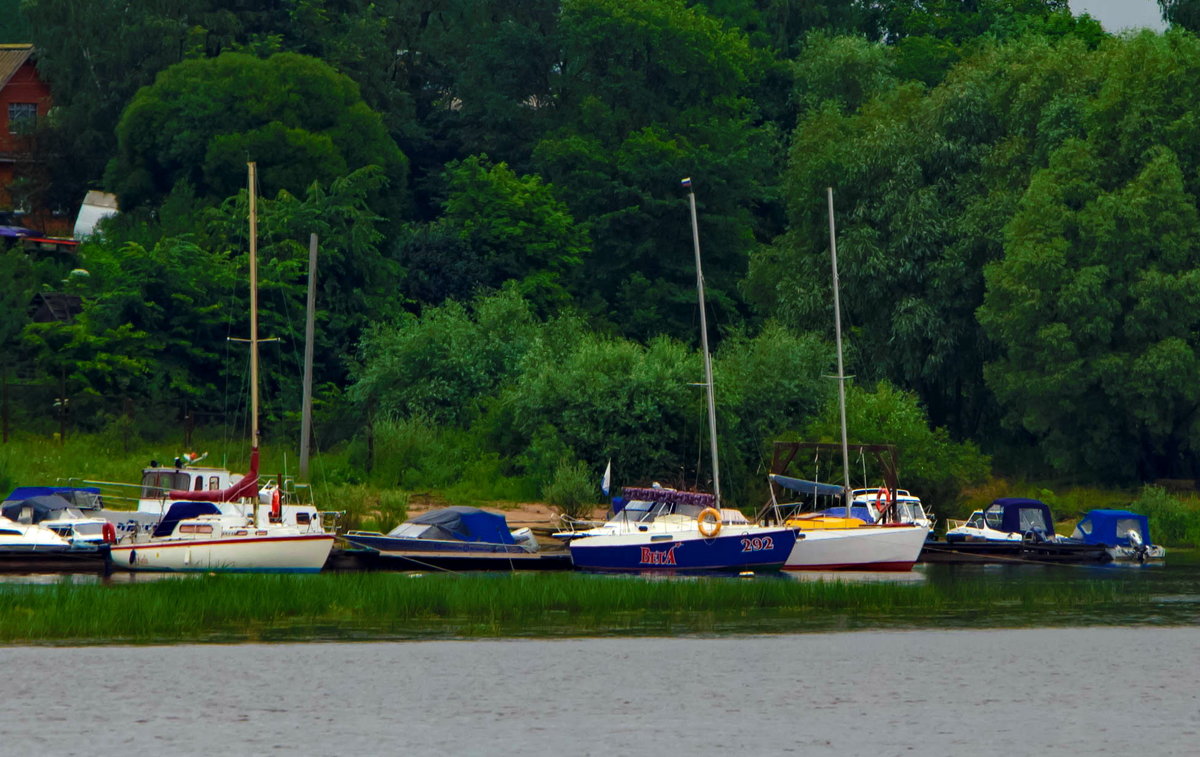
832 543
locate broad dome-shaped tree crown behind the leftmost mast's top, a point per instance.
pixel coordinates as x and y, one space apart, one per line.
202 121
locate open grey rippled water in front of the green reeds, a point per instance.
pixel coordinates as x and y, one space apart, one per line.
980 693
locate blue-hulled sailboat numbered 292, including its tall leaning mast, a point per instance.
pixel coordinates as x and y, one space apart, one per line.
668 531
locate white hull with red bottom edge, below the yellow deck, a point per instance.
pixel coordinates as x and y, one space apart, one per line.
869 548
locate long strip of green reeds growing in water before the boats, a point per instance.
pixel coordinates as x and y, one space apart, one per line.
376 606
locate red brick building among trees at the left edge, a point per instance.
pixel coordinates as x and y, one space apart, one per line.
25 103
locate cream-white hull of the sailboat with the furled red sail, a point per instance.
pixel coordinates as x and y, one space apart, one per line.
271 555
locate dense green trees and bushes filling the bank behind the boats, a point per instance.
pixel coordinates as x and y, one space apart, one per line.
507 289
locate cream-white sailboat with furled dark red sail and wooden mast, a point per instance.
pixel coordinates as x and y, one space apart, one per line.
201 533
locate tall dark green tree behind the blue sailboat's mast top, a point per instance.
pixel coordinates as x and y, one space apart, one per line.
649 94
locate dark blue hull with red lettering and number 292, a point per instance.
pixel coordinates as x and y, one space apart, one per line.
649 552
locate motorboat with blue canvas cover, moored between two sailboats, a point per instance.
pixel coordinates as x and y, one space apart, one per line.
454 539
